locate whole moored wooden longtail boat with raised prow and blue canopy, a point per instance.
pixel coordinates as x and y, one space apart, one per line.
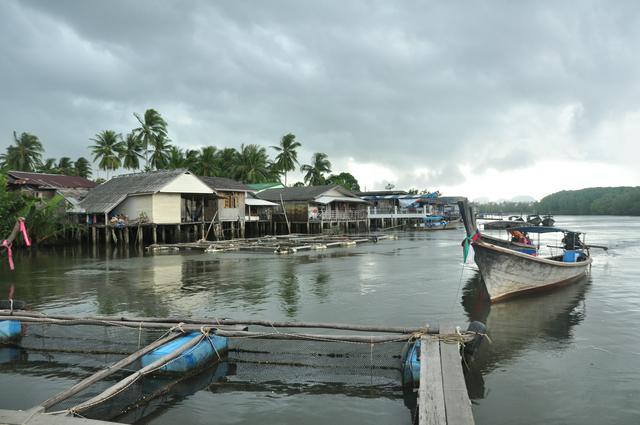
507 272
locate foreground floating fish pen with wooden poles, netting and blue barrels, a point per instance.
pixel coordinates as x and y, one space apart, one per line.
144 360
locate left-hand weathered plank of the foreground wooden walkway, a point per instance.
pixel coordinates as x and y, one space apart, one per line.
431 407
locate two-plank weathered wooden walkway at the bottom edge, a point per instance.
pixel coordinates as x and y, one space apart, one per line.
442 396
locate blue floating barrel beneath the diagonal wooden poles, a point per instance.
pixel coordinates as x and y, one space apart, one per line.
209 349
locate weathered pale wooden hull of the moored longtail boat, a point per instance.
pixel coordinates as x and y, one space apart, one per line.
507 273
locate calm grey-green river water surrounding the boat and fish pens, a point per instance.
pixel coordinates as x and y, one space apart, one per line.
571 356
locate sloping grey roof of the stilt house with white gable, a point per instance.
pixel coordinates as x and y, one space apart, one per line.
109 194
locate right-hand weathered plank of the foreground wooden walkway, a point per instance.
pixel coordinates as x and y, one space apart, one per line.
456 398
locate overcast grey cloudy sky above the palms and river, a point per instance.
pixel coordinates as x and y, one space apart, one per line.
486 99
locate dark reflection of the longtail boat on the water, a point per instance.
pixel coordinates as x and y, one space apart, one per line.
514 325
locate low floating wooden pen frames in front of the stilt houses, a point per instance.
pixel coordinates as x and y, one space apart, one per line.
289 244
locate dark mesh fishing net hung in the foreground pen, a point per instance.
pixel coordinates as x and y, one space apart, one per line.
311 365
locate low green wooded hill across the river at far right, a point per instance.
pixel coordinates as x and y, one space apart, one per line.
593 201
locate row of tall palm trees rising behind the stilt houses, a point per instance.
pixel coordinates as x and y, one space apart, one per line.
148 147
